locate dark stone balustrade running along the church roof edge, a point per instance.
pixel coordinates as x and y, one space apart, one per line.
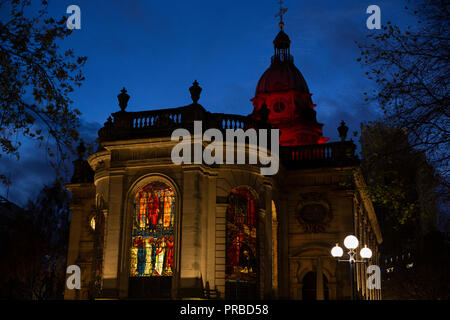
159 123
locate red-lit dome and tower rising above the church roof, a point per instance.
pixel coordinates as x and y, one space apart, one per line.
284 92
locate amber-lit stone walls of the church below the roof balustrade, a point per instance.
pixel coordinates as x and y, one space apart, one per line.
289 247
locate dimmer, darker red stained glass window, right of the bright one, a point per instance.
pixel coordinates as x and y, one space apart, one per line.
241 262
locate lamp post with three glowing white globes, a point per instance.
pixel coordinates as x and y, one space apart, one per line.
351 243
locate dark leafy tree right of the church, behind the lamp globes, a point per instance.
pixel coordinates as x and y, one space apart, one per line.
401 183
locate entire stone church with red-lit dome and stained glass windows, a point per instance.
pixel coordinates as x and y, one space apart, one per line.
143 227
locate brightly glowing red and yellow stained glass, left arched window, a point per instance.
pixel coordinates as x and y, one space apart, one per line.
153 231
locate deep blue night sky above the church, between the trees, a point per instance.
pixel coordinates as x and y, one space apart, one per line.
156 49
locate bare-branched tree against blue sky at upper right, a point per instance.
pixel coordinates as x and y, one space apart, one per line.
411 68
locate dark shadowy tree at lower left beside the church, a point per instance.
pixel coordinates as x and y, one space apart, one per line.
35 248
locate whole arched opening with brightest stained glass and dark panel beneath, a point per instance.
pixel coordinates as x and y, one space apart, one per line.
152 245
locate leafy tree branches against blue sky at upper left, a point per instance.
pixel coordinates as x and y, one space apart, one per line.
36 79
